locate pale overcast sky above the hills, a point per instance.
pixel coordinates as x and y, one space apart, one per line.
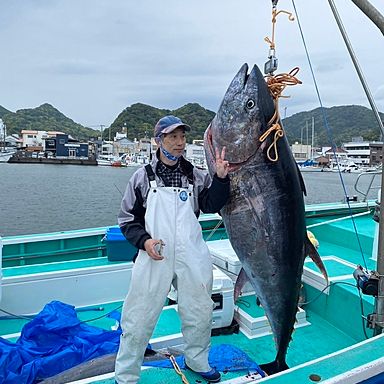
92 58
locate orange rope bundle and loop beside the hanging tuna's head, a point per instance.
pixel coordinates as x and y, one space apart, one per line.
276 85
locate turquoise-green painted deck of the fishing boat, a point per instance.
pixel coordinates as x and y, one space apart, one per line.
334 325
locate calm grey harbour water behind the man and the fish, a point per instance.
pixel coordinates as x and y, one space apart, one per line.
39 198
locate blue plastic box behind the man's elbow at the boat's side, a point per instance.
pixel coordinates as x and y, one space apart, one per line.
118 247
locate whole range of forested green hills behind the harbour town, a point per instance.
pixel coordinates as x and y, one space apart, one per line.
139 119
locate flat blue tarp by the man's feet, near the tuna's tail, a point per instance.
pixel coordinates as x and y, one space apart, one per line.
223 357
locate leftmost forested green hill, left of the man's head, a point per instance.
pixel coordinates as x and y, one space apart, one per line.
44 118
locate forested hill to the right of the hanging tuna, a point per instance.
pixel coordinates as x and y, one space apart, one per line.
344 122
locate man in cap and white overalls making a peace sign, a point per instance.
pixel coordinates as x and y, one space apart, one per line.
158 215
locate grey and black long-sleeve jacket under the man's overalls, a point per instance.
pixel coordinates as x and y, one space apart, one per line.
210 195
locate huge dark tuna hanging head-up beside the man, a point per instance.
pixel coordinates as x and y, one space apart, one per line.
264 216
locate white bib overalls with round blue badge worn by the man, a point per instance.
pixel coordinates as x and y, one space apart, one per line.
187 264
